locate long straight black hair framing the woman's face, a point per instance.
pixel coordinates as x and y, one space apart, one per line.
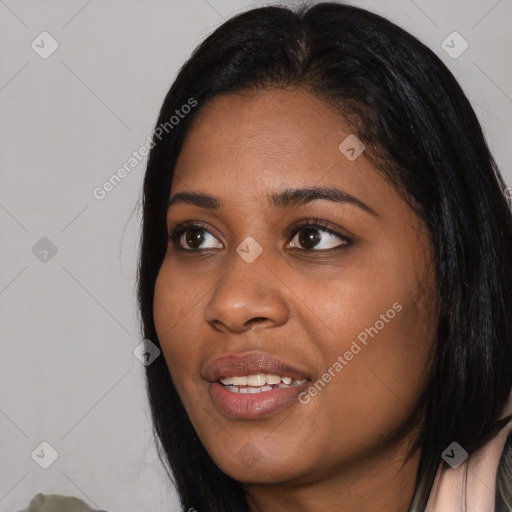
420 130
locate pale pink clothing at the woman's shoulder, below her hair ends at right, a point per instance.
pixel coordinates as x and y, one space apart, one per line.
471 487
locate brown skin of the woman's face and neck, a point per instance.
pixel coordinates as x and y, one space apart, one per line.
341 451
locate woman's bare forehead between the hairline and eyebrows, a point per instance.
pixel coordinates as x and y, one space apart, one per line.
253 143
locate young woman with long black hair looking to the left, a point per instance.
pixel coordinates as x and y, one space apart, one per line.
325 265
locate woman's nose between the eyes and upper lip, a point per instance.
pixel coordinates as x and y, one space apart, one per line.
246 294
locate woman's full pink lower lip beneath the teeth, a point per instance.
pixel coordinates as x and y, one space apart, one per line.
250 406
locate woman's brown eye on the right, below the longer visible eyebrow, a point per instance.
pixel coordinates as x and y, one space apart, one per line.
308 237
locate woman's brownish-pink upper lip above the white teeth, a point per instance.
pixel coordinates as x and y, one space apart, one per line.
237 365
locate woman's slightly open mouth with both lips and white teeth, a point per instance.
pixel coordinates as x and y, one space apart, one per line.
253 385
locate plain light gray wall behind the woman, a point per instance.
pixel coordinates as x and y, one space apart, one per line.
68 375
